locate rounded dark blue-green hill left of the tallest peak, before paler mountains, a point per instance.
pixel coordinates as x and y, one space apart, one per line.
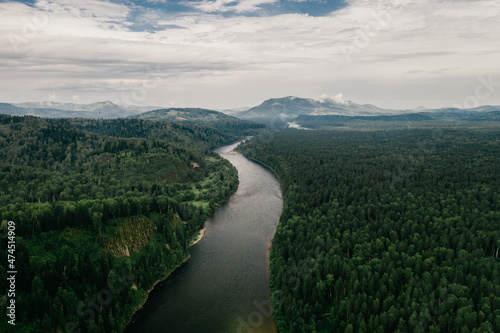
202 117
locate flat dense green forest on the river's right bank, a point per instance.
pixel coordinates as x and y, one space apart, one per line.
386 231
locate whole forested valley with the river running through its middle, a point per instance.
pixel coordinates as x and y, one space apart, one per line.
389 222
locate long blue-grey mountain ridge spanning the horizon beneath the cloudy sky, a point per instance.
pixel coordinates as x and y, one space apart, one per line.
284 109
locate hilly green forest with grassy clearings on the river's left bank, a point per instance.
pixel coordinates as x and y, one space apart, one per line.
99 219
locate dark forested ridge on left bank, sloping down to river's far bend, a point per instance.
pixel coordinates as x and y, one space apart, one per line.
184 136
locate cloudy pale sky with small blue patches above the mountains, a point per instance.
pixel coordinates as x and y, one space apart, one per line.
224 54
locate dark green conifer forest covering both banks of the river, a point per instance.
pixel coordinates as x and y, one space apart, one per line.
386 230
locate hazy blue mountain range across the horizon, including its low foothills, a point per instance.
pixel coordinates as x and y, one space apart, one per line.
276 110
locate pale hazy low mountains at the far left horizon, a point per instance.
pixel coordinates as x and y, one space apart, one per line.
105 110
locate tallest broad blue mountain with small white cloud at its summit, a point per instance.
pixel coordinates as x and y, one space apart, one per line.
288 108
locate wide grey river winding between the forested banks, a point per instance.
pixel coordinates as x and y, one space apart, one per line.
224 287
